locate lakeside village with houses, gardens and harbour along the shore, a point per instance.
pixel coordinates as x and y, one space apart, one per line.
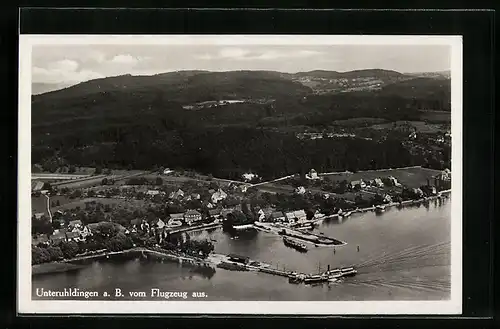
158 209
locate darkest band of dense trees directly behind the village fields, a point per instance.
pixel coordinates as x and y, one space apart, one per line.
232 151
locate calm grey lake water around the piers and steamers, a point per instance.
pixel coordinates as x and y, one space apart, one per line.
404 254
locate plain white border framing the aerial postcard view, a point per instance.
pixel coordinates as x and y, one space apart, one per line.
28 306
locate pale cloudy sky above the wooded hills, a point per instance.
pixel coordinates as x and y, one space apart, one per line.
70 64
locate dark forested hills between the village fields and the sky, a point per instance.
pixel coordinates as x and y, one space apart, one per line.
139 122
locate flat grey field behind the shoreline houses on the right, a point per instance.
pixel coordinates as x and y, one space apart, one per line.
411 177
